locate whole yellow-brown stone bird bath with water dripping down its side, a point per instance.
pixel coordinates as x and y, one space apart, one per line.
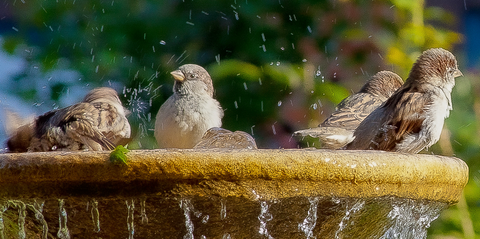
305 193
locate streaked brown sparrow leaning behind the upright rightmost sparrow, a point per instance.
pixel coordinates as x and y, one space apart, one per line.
337 130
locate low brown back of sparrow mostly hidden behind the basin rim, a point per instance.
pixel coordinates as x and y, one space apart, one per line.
221 138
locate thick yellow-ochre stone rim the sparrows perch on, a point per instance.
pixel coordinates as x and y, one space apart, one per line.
262 174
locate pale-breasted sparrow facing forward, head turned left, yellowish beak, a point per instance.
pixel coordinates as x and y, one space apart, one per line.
187 114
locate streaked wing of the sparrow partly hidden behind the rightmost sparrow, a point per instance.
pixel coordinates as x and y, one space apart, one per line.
352 111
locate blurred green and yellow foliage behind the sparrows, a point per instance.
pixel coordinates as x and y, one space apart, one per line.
277 66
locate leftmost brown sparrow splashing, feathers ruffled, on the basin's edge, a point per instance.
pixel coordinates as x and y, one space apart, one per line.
97 123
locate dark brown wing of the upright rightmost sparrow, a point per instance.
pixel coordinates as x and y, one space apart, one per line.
406 120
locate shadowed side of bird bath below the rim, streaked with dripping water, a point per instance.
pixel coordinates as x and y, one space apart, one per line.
212 217
